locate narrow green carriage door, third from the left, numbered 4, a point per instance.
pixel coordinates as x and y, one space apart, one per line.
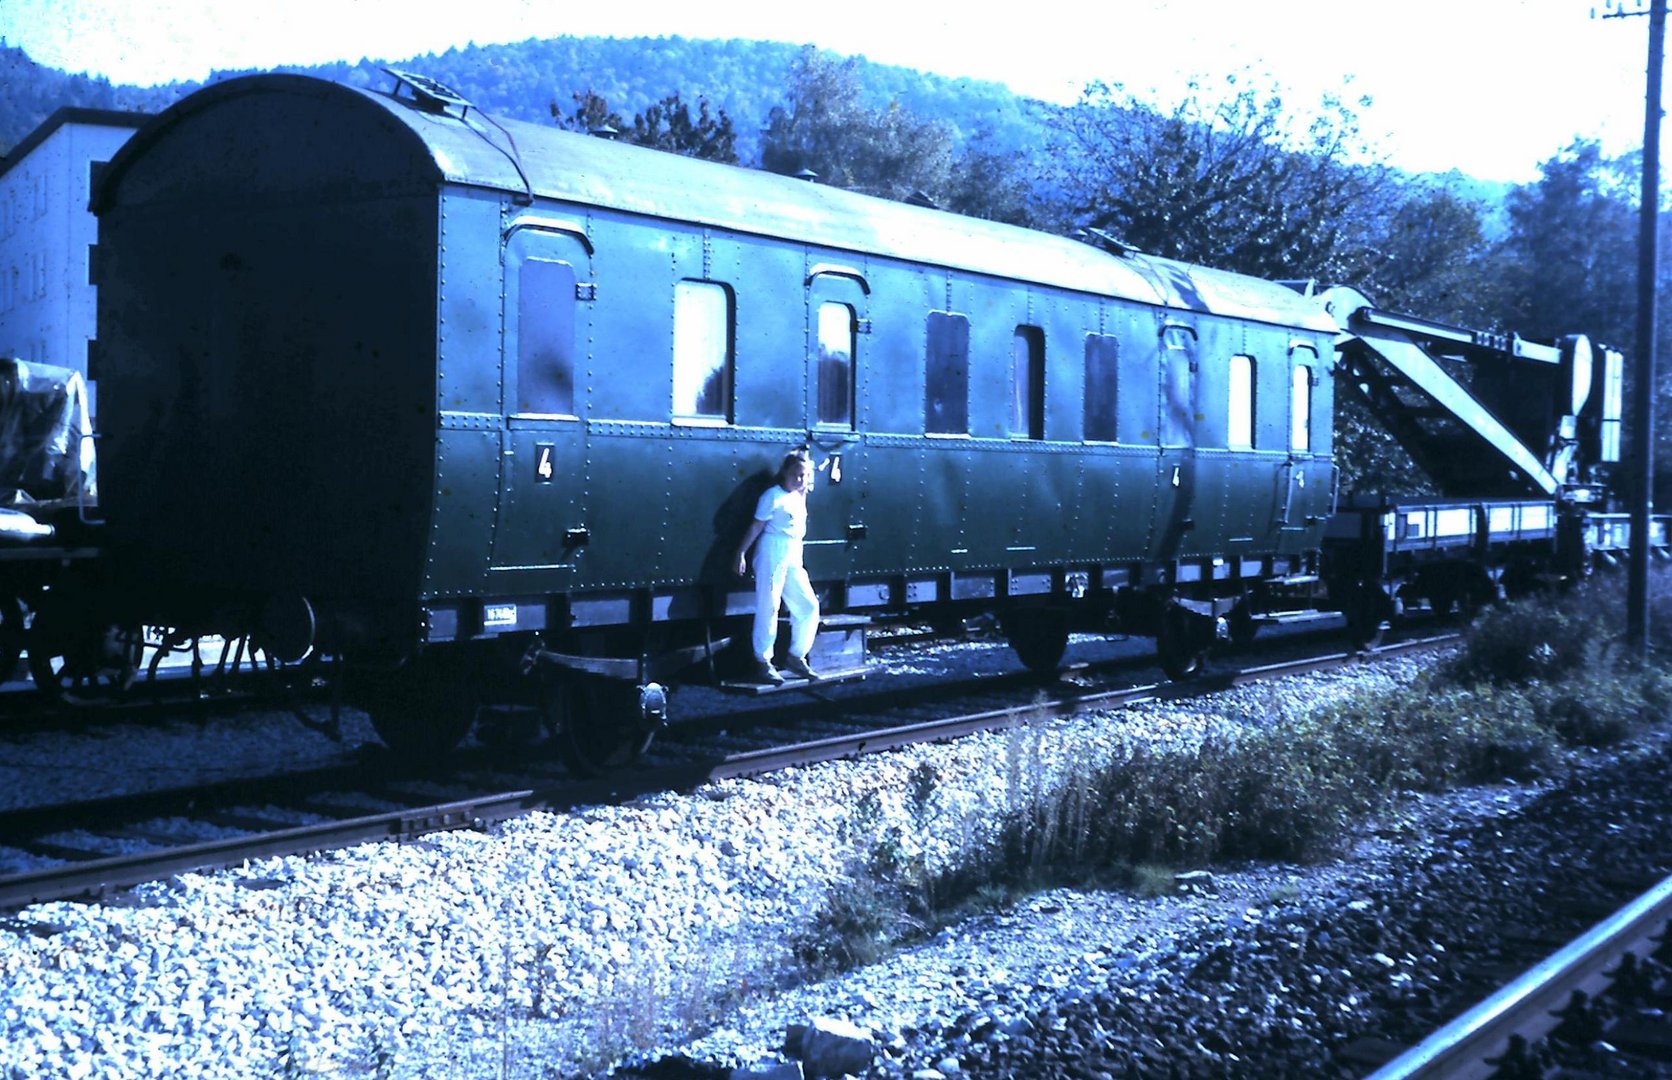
1176 489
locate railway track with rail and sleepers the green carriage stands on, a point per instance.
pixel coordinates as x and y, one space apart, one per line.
317 810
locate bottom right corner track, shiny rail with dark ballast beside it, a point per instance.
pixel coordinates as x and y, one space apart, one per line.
1567 992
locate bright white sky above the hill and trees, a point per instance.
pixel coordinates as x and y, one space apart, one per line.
1491 88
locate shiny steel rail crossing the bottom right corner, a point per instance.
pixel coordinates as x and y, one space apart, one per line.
1529 1009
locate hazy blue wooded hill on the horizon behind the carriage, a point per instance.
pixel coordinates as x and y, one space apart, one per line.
524 81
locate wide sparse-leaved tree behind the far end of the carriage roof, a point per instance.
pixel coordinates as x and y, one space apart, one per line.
1225 181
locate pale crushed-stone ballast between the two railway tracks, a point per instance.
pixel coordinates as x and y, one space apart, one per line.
564 945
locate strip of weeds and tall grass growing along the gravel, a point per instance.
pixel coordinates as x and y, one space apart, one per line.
1532 683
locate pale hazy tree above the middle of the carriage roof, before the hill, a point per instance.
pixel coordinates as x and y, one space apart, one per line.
830 131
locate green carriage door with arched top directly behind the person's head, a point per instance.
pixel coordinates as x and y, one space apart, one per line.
837 325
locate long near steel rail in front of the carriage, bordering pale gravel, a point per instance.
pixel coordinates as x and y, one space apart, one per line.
96 879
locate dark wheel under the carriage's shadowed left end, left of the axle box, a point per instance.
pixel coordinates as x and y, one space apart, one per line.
422 710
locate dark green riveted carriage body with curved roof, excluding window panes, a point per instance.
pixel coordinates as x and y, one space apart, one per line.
643 512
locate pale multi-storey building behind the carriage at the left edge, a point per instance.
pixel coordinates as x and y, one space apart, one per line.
48 310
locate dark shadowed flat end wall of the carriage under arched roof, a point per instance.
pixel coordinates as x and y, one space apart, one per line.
233 374
